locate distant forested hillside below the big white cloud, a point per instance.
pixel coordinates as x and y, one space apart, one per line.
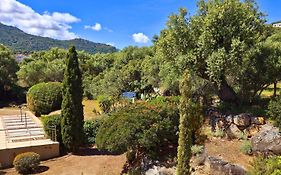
20 42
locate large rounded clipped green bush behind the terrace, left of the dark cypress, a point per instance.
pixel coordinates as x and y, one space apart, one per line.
44 98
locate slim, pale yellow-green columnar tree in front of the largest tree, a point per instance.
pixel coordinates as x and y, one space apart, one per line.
190 112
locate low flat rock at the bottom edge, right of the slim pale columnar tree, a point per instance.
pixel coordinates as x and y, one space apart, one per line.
219 166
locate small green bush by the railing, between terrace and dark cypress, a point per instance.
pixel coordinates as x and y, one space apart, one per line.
51 122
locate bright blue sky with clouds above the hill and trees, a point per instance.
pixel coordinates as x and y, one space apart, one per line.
108 21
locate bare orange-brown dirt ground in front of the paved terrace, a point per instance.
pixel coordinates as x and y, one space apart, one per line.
88 162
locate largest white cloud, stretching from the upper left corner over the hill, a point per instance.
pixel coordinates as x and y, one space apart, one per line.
54 25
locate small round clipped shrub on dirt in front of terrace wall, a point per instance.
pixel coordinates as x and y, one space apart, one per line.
26 162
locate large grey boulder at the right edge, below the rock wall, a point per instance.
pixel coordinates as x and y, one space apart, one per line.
267 141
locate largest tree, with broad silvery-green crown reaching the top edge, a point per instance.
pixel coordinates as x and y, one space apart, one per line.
216 42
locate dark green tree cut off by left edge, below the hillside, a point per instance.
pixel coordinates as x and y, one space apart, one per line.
8 69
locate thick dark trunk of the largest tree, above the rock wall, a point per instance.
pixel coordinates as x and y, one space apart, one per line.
227 94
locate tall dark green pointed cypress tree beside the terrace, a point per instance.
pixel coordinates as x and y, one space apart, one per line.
72 108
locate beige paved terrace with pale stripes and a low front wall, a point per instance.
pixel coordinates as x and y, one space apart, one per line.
22 133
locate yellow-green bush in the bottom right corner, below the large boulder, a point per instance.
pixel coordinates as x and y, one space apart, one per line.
266 166
